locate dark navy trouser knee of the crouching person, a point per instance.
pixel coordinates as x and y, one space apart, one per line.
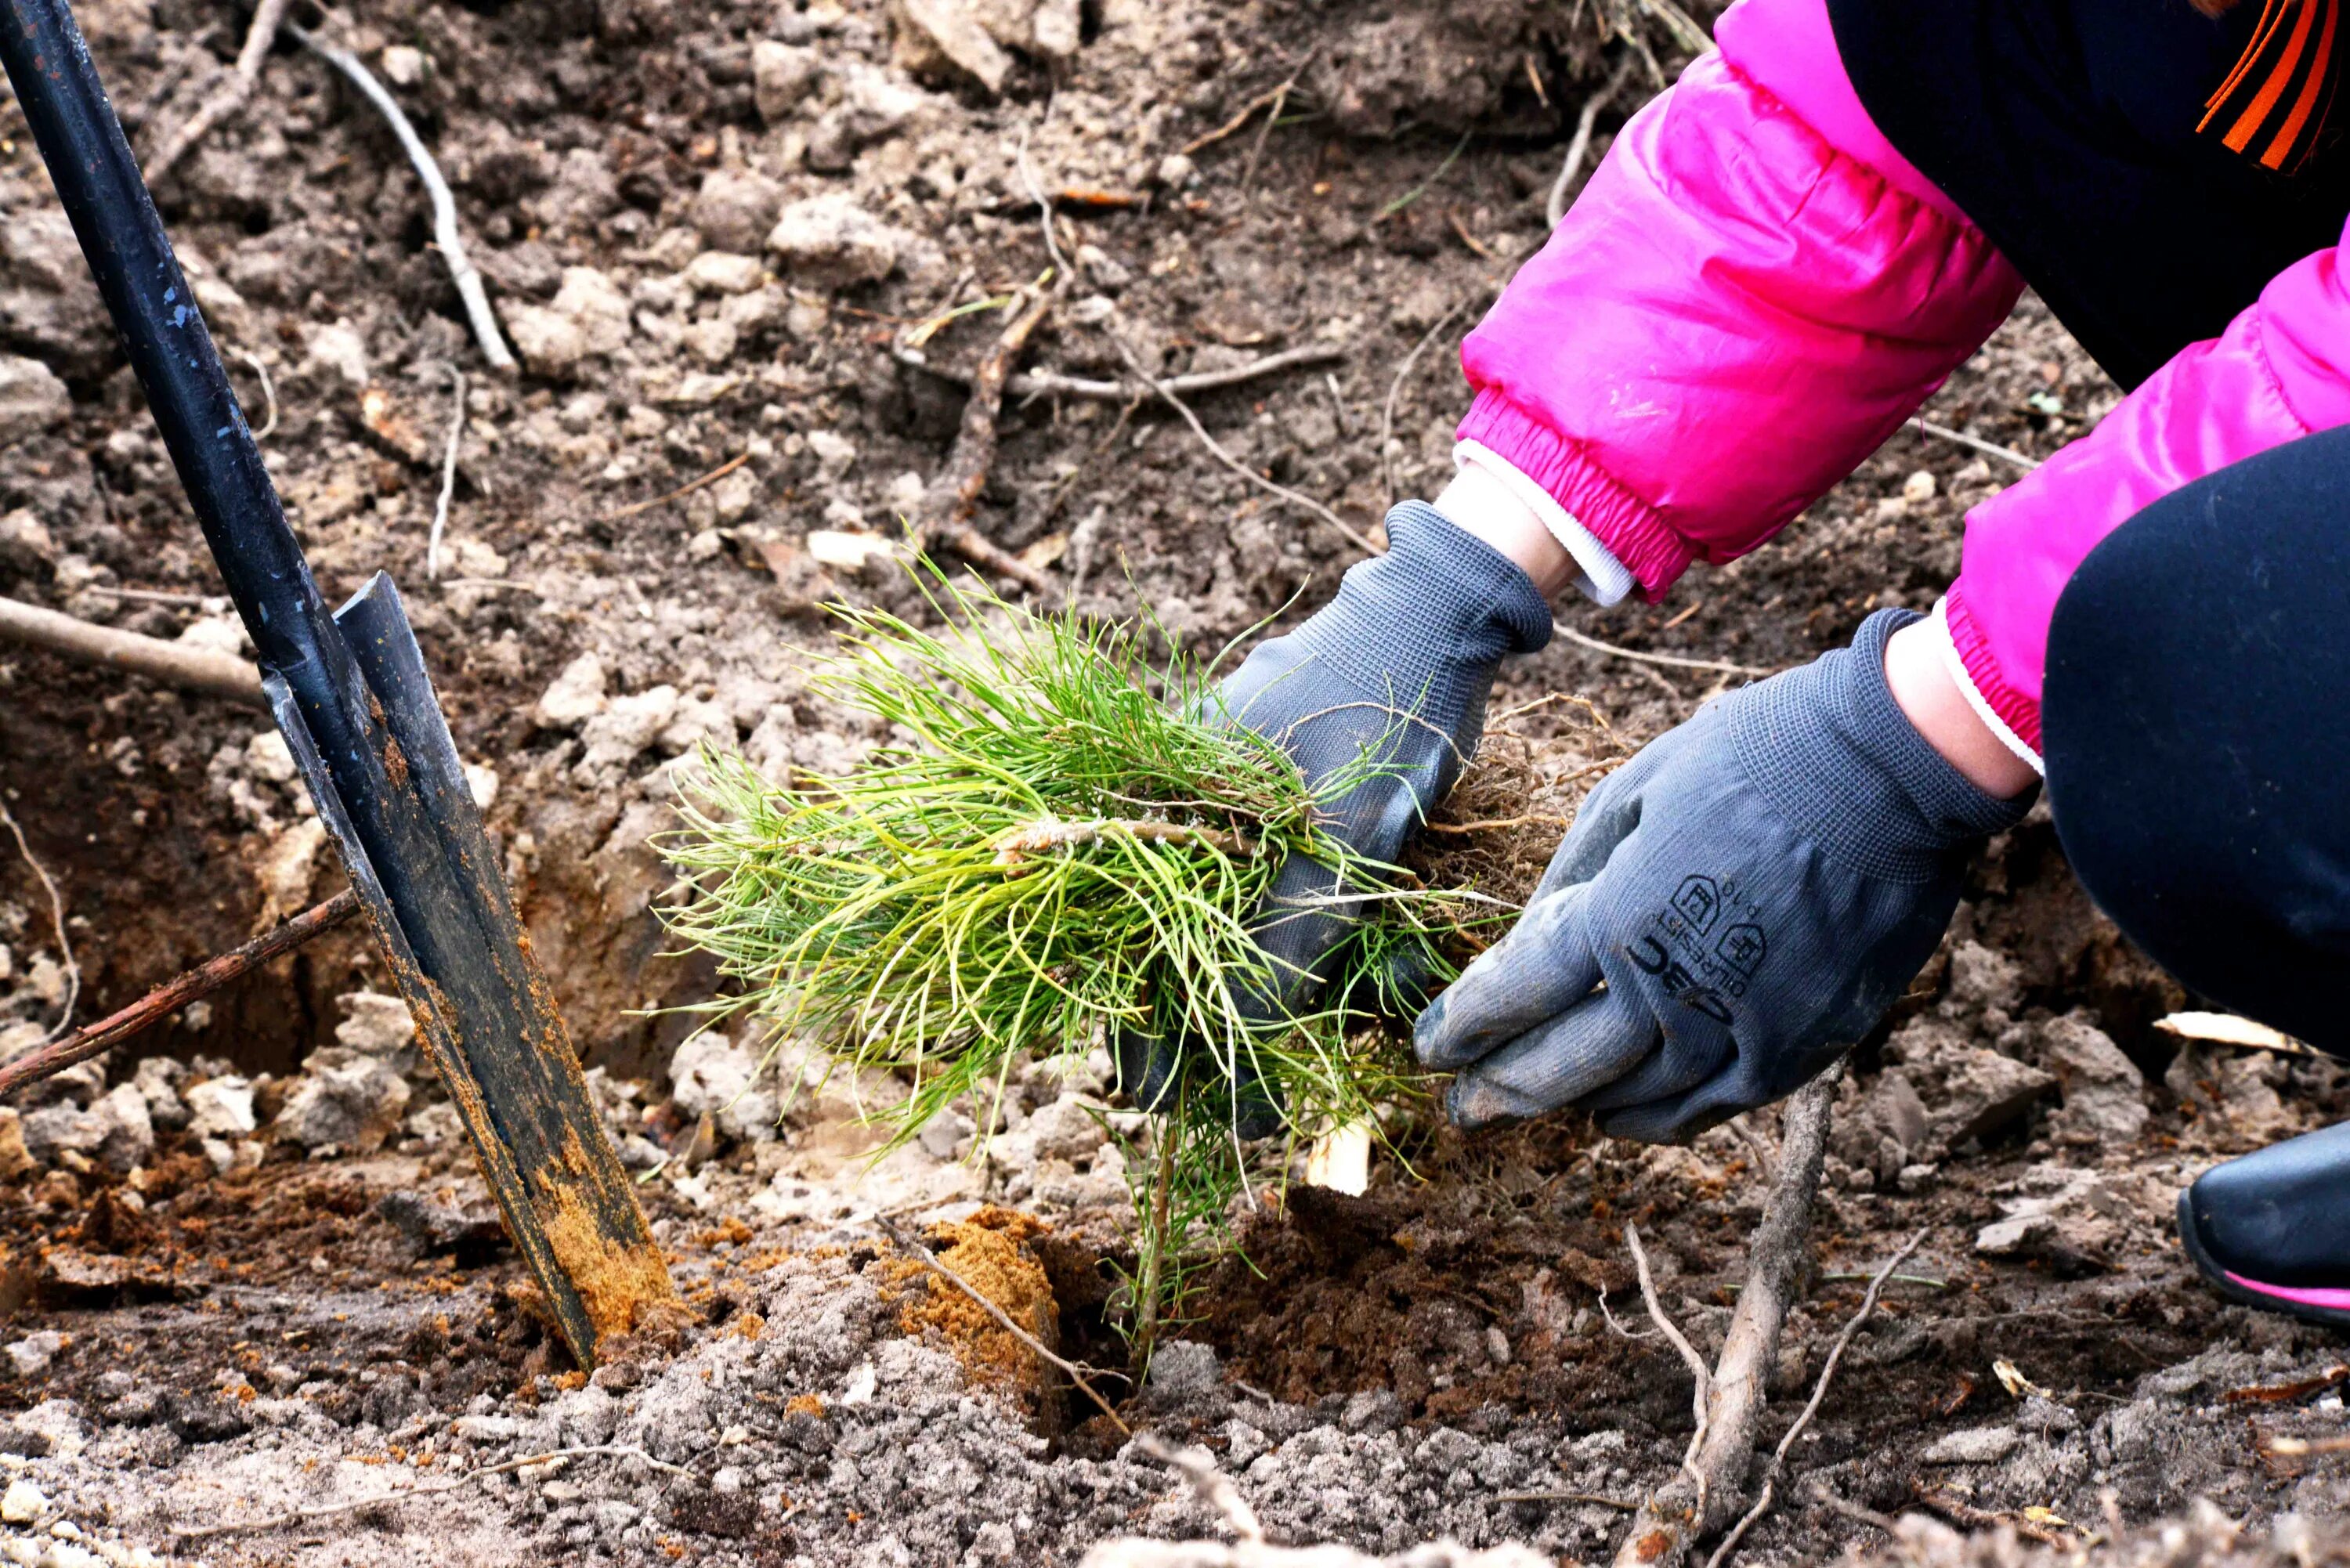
2196 730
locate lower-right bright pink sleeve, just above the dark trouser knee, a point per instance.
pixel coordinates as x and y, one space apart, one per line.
2281 373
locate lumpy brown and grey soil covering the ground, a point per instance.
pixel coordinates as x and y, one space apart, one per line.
314 1327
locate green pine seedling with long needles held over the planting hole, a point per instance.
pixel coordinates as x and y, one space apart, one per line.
1061 840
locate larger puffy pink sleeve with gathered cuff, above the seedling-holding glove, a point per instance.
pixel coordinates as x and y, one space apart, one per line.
1747 300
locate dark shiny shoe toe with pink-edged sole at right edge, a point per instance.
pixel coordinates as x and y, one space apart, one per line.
2274 1228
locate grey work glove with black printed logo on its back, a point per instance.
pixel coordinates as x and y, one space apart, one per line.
1731 911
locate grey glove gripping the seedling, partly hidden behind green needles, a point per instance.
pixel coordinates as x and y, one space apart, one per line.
1397 666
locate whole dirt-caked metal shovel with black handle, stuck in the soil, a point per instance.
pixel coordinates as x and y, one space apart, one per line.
358 711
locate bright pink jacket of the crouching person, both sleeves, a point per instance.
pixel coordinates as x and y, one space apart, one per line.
1757 290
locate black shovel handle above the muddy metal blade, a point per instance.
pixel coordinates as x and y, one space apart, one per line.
170 351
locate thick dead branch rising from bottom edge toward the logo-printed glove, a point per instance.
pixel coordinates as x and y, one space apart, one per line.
1738 1388
